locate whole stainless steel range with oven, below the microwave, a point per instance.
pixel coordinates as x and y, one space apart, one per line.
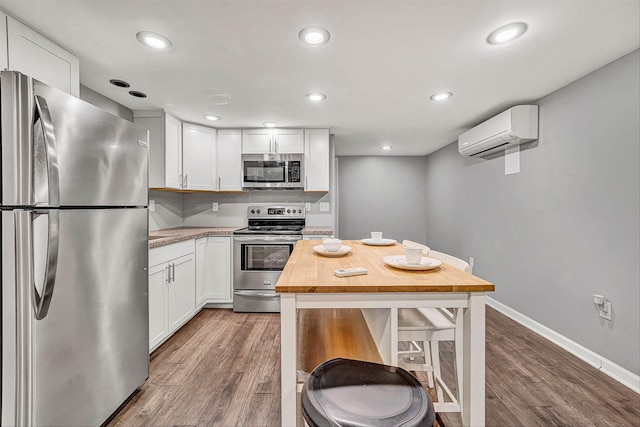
260 252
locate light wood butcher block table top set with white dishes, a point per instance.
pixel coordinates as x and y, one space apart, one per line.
309 272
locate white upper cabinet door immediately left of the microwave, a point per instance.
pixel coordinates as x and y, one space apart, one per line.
229 160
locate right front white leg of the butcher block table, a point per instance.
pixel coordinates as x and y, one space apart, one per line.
474 362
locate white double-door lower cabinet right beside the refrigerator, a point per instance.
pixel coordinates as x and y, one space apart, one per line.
172 288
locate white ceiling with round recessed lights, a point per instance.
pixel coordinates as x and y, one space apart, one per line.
242 60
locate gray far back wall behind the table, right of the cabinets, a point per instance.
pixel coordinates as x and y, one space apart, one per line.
385 194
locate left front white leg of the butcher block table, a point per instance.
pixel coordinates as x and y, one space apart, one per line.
288 340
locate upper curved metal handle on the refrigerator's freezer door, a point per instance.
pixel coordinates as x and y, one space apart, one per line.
42 114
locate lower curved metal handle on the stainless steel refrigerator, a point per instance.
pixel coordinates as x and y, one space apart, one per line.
42 301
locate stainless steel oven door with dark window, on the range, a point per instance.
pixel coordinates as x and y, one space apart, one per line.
258 260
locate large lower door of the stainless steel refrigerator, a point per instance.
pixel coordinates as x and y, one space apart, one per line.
90 351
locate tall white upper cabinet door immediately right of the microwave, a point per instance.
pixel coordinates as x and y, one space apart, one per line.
316 159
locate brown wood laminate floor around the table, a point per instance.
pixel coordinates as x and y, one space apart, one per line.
223 369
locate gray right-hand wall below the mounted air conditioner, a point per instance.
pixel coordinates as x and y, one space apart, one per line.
568 225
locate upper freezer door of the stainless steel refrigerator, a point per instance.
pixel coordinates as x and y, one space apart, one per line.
58 150
